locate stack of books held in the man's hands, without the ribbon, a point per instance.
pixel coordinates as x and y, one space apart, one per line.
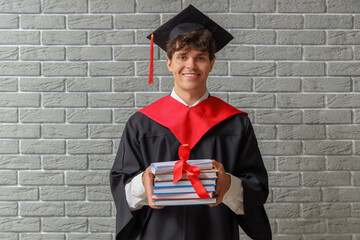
165 193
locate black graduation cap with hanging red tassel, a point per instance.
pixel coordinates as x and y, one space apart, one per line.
190 19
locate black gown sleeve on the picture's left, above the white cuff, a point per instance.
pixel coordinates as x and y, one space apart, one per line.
128 163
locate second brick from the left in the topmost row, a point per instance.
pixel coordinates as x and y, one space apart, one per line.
66 6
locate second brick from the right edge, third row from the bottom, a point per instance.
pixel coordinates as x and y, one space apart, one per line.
312 210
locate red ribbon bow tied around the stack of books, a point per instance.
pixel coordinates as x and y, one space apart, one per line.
191 171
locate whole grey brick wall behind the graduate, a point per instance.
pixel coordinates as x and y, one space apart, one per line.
73 71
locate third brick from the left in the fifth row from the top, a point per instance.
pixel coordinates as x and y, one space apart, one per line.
111 69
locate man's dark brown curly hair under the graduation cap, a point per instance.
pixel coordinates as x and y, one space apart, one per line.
200 40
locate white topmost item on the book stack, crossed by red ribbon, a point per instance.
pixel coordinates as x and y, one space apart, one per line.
168 166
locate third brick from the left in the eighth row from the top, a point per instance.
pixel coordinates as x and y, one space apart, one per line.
88 116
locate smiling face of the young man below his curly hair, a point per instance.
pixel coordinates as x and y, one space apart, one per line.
190 68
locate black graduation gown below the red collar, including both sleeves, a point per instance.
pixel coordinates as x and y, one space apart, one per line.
231 142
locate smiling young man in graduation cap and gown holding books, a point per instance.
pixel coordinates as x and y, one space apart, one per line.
212 128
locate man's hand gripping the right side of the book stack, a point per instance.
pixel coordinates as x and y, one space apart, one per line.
222 184
